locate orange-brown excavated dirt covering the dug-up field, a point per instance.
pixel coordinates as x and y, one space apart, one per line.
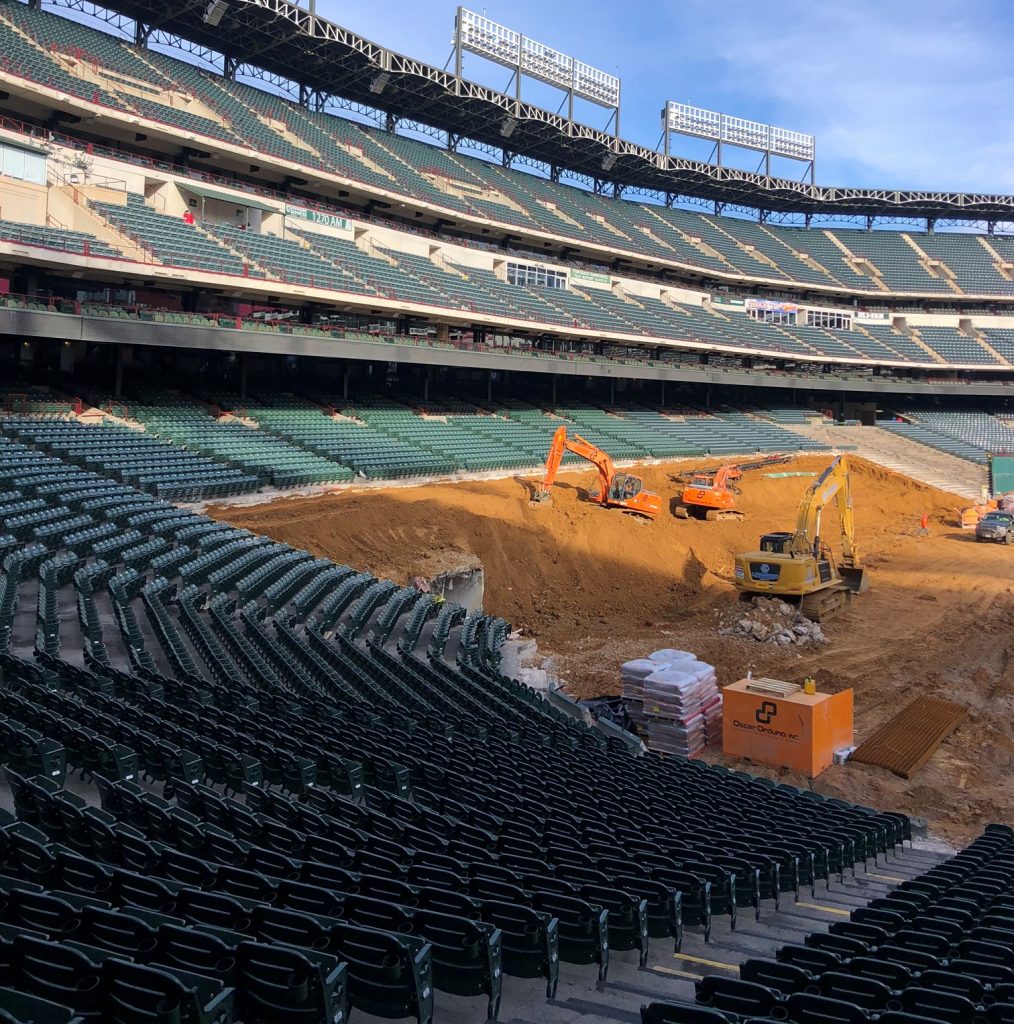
597 588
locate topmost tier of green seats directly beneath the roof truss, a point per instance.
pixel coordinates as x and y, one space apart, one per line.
143 100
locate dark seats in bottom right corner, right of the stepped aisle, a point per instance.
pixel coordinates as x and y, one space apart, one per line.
938 949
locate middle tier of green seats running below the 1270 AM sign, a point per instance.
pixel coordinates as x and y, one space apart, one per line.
328 263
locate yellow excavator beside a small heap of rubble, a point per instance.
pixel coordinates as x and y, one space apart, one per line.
799 568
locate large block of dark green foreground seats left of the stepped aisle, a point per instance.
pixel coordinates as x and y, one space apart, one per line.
280 793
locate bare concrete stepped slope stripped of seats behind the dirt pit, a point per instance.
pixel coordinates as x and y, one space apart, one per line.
909 458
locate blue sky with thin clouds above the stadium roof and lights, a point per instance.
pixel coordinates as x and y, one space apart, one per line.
900 94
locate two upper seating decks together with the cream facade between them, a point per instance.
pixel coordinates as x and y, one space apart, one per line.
167 180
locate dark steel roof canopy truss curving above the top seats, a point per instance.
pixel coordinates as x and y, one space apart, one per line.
336 67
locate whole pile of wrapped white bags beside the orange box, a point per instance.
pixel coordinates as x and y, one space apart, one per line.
674 701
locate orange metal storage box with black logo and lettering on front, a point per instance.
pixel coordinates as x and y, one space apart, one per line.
767 724
